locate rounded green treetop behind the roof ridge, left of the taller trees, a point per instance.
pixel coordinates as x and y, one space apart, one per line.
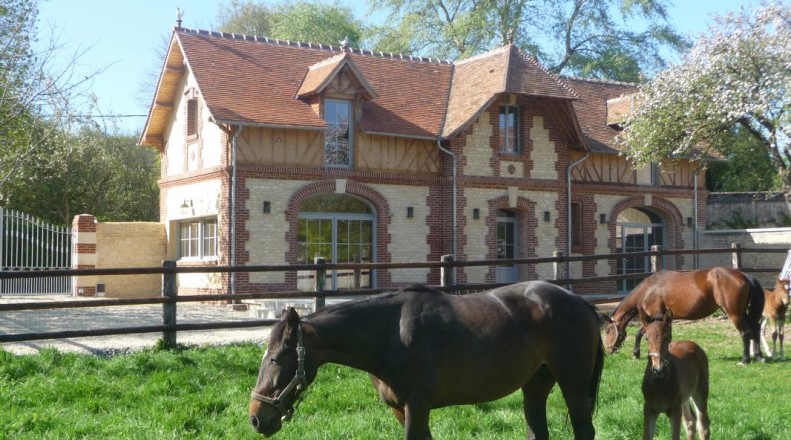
305 21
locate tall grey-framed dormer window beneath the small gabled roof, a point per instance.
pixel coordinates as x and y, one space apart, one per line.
338 140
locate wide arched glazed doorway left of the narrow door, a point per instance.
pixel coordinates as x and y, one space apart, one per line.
339 228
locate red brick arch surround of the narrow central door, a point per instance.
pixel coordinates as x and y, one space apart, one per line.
528 240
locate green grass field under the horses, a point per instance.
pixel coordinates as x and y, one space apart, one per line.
203 393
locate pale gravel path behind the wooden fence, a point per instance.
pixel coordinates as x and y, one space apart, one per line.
34 321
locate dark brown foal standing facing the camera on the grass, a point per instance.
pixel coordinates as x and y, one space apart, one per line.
676 380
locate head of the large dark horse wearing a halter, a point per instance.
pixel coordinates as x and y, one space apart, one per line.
282 377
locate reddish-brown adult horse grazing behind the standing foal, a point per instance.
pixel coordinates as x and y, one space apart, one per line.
693 295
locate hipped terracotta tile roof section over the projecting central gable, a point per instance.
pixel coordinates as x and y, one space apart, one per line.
477 81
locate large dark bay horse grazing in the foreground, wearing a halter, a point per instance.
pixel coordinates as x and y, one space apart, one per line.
424 349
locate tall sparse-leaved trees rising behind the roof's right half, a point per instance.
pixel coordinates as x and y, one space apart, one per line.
592 38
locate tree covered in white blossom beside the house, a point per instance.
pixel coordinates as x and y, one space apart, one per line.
738 75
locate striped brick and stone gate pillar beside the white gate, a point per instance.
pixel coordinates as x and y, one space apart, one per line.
84 253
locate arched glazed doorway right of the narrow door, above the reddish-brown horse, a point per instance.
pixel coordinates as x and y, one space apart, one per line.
637 229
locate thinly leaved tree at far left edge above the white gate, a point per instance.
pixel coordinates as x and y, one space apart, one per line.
34 98
